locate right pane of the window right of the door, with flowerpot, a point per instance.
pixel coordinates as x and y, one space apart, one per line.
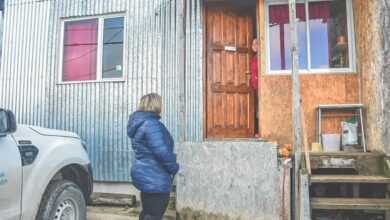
328 34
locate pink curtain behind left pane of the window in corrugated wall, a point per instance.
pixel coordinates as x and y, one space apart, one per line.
80 50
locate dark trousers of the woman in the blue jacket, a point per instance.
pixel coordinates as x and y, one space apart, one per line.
153 205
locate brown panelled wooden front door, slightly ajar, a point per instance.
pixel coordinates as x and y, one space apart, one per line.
229 97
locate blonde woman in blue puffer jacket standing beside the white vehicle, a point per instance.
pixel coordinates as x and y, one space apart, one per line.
155 163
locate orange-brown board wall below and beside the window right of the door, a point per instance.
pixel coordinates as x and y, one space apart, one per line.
316 89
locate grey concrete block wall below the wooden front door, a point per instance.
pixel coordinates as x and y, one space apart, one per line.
229 180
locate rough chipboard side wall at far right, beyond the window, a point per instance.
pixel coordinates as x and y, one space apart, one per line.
368 51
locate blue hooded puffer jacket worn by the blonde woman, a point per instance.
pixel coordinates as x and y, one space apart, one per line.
155 163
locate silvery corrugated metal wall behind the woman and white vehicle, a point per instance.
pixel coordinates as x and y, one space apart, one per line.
98 111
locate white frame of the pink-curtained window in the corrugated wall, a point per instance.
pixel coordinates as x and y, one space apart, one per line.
99 62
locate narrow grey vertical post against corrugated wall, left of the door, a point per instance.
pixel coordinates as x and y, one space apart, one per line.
180 68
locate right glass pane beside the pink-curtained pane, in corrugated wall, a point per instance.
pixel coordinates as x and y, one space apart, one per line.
113 48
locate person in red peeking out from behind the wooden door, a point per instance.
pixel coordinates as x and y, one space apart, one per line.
255 84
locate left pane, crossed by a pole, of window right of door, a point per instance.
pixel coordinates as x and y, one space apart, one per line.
279 37
